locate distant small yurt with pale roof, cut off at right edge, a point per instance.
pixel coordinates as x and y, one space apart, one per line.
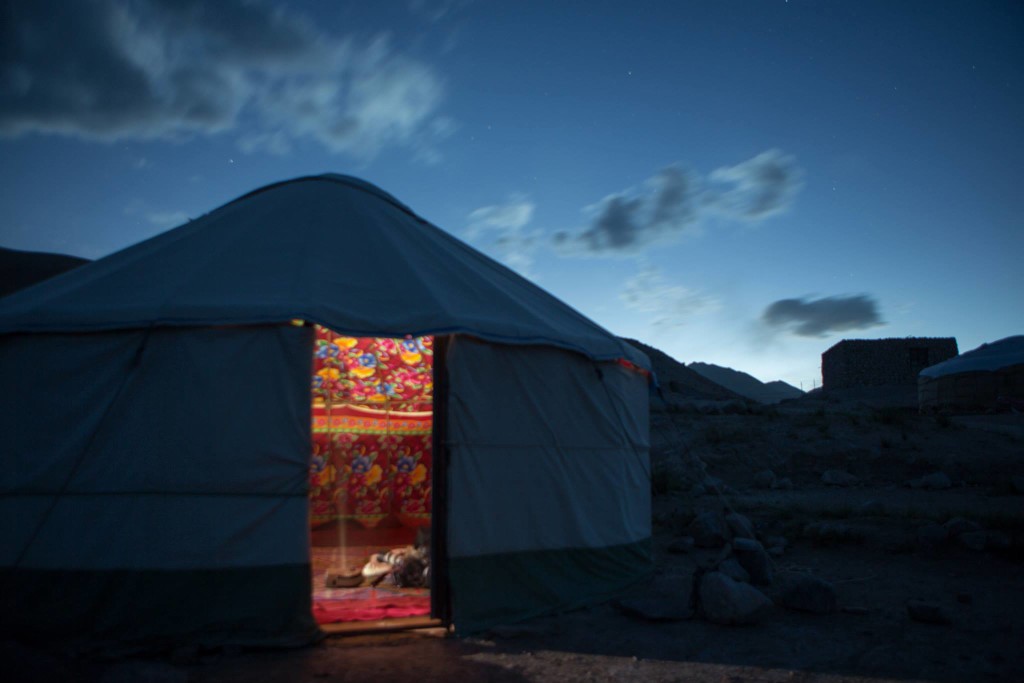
989 378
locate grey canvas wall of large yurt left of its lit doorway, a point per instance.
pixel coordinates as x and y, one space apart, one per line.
155 485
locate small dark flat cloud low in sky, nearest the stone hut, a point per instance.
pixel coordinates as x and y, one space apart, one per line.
822 317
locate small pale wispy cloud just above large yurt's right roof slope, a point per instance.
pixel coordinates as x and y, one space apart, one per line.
500 230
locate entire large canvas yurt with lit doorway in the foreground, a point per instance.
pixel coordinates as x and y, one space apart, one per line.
172 456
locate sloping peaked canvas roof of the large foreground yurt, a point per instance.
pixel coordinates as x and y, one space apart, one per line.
329 249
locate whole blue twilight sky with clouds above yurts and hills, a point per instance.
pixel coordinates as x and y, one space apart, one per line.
742 183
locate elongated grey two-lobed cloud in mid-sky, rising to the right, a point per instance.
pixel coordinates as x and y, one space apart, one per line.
675 201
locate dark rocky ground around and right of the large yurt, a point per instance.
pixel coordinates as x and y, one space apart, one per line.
812 541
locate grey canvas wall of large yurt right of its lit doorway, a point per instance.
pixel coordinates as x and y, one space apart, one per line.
549 498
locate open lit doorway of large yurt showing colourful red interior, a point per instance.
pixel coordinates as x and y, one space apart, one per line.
371 479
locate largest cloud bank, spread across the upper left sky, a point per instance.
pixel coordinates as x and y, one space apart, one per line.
175 69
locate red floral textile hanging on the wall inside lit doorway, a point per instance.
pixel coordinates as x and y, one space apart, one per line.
372 430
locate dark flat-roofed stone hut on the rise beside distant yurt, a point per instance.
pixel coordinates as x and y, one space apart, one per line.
865 363
